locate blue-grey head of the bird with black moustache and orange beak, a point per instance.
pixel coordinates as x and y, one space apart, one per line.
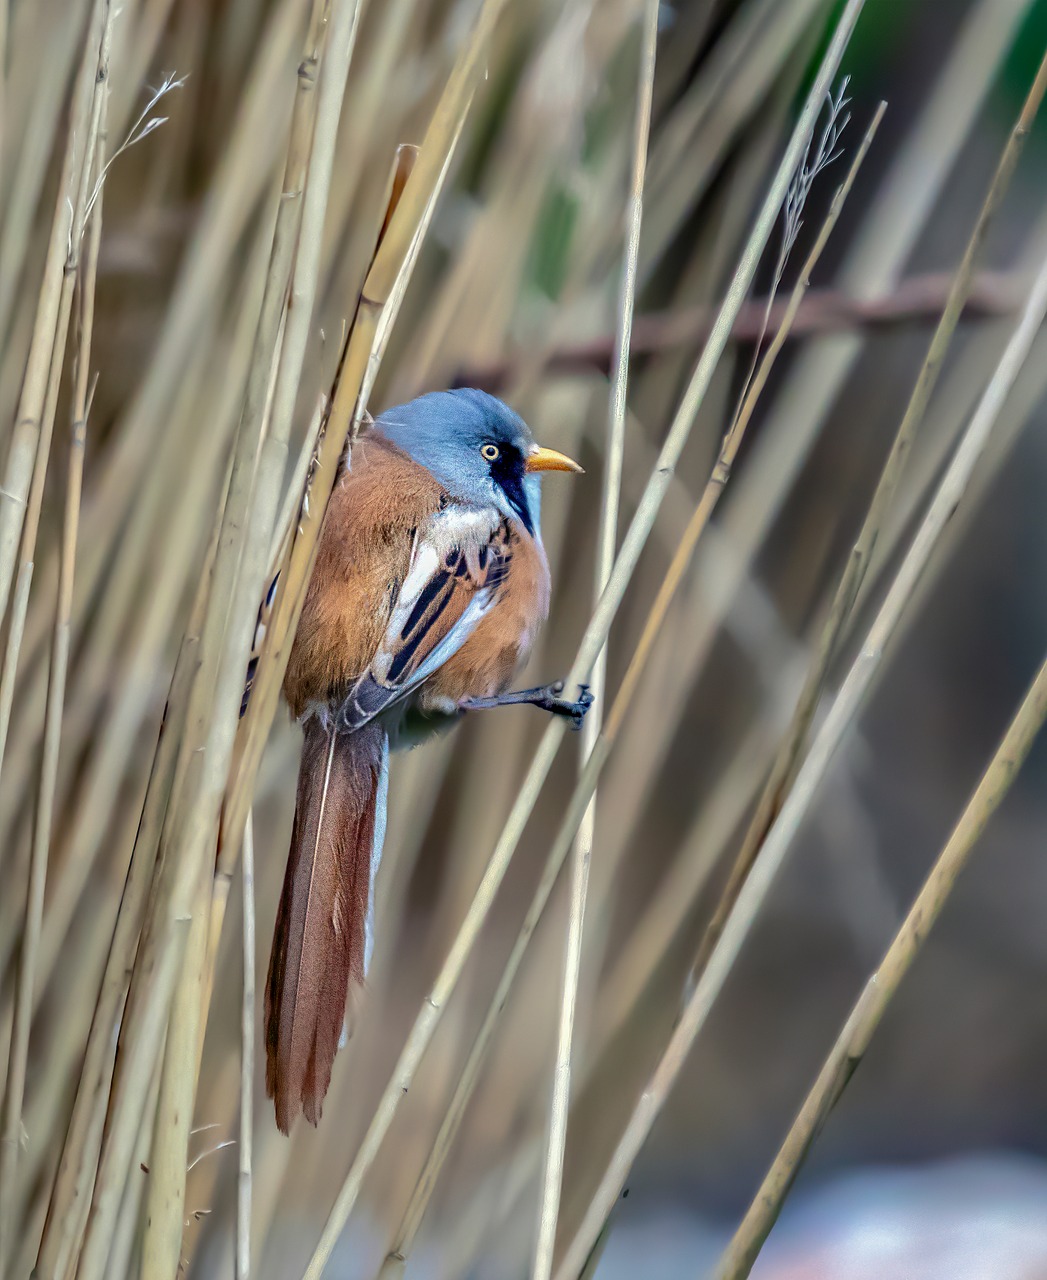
479 450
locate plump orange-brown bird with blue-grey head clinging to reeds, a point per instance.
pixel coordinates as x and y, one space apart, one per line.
429 587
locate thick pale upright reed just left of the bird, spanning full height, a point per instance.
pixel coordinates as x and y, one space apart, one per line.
240 565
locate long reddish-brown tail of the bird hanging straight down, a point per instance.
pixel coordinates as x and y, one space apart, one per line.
323 925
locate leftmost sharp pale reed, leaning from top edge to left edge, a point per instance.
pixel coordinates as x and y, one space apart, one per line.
29 451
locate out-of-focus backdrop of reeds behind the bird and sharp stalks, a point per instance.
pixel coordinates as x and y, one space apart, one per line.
935 1164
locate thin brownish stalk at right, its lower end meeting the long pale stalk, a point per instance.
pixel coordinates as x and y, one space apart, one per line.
788 760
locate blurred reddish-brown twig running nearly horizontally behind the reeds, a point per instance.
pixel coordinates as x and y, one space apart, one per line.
920 300
